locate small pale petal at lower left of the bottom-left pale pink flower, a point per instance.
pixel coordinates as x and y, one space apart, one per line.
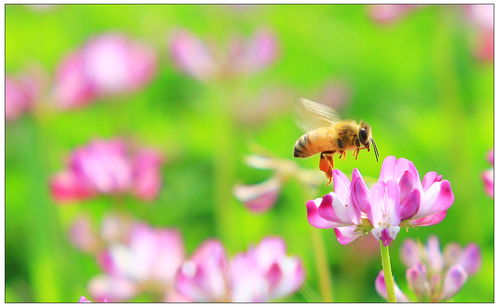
111 288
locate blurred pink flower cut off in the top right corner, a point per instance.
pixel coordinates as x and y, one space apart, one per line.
481 16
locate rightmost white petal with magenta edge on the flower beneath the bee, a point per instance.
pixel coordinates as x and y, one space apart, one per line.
438 198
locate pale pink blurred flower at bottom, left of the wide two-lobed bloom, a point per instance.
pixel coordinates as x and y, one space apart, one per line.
148 261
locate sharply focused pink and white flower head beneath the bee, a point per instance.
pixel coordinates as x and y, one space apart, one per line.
399 198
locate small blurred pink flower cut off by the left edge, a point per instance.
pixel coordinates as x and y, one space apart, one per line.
21 93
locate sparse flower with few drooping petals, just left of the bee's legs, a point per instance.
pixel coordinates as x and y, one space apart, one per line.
262 196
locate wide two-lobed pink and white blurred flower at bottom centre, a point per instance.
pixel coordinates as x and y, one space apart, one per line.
261 274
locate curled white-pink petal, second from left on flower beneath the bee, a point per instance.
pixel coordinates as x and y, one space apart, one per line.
336 211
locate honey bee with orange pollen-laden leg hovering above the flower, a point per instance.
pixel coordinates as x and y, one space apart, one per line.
329 135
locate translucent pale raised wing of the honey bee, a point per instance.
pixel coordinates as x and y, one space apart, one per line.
314 115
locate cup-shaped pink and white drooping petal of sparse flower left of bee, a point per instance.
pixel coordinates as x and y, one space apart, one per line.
259 197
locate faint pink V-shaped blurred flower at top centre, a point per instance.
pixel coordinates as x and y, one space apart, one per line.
243 57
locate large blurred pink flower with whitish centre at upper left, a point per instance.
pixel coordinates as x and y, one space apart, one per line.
106 65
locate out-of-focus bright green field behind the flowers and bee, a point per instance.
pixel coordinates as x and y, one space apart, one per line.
416 82
